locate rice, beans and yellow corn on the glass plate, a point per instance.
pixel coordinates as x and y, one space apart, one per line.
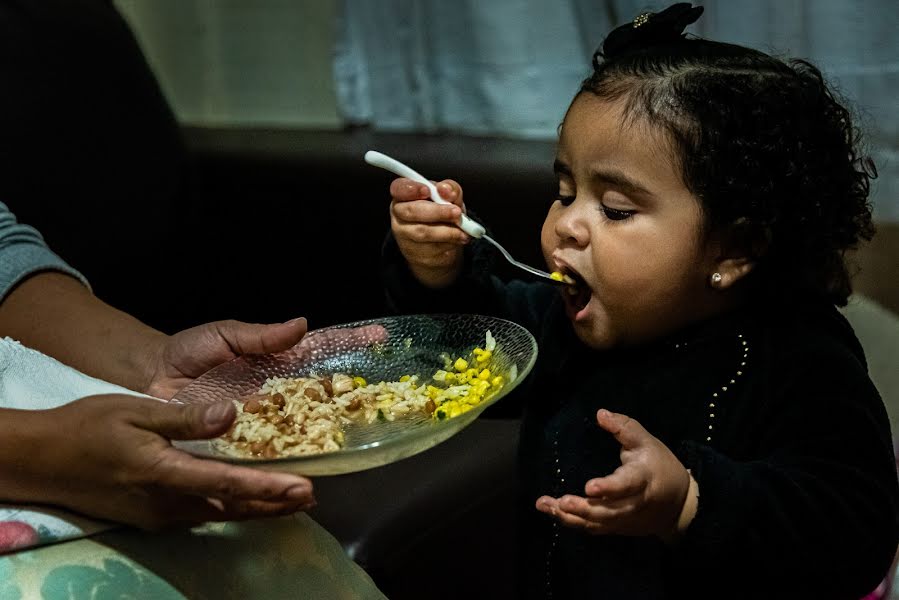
297 416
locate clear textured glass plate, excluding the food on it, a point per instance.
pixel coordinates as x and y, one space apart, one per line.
378 350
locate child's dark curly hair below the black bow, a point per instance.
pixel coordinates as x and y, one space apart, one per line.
767 148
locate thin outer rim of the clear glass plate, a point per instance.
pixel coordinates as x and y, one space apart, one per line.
459 422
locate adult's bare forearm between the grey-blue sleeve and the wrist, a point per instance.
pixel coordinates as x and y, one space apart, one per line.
57 315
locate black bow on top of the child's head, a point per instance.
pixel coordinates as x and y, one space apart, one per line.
649 29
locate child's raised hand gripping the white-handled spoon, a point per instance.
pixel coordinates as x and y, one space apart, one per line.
427 232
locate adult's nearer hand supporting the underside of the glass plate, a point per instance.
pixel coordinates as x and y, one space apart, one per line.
109 457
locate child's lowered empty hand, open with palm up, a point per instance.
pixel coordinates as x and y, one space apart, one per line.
644 496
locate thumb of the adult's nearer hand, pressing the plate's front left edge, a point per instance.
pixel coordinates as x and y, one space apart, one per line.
192 421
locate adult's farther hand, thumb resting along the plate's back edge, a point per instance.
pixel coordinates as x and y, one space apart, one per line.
181 358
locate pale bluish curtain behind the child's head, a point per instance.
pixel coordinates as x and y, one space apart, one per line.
510 67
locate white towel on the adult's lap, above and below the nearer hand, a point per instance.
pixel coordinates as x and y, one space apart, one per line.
30 380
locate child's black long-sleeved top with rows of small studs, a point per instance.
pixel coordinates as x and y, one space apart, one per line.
772 410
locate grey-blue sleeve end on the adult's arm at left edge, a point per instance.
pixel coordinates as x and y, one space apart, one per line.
23 252
